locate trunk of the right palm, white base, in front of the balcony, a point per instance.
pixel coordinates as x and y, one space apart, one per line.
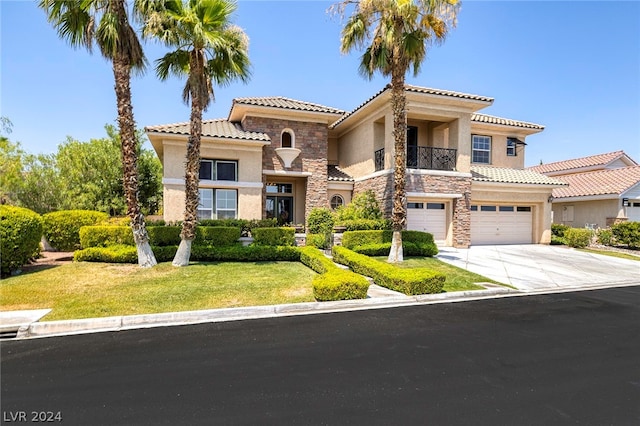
399 211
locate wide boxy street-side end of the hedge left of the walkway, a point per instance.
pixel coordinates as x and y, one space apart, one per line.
339 284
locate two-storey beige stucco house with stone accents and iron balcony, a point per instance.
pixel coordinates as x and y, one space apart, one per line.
279 157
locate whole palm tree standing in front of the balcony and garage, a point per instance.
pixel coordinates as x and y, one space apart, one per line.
395 35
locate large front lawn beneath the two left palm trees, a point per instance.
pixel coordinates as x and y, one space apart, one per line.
91 290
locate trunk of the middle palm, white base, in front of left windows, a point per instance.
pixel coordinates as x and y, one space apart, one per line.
192 167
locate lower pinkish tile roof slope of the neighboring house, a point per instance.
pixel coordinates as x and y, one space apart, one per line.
600 182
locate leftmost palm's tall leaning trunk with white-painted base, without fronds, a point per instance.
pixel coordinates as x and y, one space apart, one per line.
122 75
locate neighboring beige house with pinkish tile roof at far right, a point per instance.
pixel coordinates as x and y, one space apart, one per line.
602 189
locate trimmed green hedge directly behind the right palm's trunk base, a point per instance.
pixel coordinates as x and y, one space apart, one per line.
378 243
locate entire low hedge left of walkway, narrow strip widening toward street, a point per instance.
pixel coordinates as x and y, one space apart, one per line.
333 283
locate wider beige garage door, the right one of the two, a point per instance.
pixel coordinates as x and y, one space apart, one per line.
492 224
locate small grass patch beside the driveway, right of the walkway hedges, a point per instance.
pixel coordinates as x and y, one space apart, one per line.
457 279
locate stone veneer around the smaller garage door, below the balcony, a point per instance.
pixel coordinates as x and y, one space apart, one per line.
382 186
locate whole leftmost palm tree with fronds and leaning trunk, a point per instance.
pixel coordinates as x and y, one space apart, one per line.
106 23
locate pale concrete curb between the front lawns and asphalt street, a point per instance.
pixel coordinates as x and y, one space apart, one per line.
132 322
